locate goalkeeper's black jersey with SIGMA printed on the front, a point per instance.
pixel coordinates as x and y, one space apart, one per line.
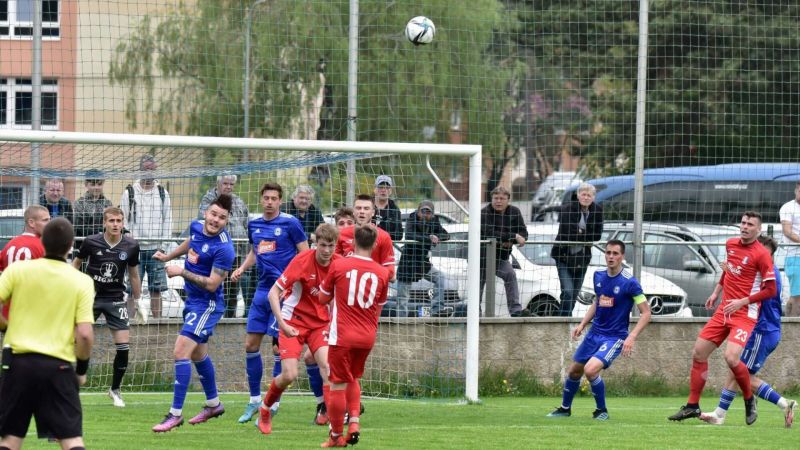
106 264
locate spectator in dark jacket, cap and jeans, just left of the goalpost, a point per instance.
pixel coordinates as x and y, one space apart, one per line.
423 227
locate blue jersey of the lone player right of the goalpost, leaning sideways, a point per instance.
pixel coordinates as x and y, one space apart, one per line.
615 298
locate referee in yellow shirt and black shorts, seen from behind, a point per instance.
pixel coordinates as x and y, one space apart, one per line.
50 327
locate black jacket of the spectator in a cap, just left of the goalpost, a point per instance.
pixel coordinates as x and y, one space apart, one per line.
414 262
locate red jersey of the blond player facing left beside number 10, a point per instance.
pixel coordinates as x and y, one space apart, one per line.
300 285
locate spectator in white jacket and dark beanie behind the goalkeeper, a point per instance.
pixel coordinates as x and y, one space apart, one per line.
148 216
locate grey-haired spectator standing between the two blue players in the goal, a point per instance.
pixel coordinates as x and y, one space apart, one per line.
237 228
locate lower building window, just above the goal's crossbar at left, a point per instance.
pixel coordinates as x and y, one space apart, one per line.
16 103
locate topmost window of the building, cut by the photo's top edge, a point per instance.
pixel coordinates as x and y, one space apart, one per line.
16 18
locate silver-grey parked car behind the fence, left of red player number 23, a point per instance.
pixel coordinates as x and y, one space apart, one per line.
695 267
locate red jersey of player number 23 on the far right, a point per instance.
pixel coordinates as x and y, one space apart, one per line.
748 267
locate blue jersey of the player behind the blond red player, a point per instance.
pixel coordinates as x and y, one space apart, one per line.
274 244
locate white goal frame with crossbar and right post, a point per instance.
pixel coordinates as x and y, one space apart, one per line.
475 178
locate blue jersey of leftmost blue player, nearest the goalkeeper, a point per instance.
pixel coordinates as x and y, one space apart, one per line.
207 252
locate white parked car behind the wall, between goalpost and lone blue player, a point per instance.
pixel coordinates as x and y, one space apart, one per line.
537 276
